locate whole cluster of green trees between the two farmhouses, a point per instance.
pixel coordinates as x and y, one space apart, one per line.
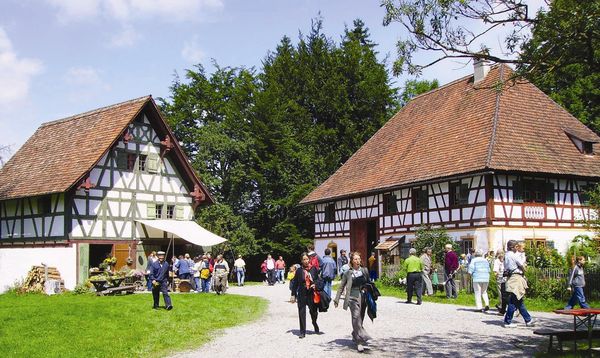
262 141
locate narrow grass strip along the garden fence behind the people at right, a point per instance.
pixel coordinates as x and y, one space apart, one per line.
468 299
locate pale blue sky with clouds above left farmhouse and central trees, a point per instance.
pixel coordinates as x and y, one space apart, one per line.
63 57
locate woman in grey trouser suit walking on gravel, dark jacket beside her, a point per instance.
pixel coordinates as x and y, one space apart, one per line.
352 282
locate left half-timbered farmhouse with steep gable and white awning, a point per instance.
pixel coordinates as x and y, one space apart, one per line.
110 181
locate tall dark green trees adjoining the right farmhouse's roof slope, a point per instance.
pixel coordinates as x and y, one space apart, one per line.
319 103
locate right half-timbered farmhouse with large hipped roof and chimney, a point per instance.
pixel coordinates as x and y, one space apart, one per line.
488 158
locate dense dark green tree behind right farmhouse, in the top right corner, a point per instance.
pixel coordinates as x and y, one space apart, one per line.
562 57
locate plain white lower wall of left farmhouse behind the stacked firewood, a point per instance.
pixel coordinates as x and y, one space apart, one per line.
16 263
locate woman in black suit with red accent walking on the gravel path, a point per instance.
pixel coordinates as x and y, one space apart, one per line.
304 293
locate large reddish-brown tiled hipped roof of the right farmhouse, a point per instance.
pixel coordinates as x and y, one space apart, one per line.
460 128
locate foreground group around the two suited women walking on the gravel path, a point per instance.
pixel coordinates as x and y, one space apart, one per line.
310 285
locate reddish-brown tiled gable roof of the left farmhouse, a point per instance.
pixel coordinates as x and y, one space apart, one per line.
60 153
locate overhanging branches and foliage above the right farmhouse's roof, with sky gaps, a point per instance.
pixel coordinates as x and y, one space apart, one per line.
556 48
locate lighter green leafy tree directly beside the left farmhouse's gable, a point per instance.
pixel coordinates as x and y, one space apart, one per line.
212 116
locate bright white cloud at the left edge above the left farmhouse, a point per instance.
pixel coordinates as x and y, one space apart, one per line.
15 73
